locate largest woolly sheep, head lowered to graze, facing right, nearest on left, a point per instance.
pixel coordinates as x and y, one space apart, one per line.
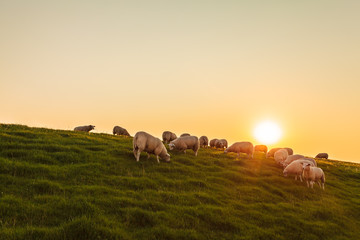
144 142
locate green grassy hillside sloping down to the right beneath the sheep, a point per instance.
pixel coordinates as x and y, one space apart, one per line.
66 185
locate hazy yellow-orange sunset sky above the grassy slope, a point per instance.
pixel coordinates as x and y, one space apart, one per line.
214 68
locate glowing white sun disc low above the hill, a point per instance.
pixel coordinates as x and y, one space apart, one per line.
267 132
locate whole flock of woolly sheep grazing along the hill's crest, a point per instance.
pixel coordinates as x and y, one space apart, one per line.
297 165
